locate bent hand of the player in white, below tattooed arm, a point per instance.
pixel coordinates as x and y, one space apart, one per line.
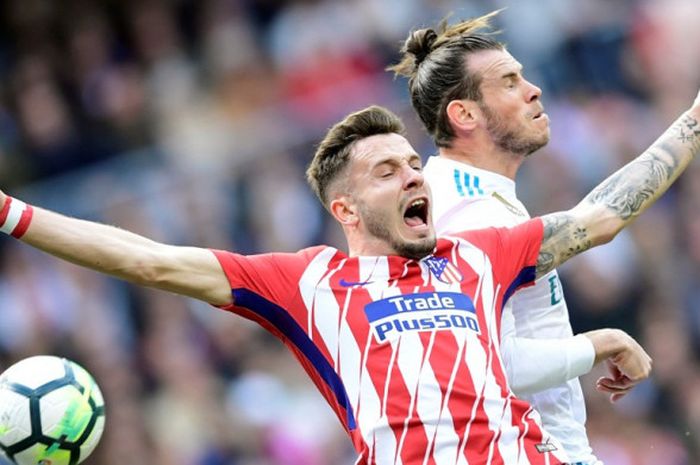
627 361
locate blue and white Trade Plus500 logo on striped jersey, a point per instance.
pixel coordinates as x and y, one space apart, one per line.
428 311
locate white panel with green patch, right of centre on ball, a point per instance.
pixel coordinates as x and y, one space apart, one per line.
65 412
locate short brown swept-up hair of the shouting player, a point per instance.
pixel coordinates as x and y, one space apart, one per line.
333 152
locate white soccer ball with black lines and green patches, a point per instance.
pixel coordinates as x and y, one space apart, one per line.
51 412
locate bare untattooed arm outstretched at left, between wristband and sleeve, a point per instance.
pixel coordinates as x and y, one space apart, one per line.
189 271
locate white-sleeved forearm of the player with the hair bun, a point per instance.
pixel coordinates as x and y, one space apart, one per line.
534 365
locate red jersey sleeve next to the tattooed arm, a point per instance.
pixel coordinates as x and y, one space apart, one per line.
513 252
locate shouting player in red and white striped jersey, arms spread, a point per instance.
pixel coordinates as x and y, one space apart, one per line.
399 334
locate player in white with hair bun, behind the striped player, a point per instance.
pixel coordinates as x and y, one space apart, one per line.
485 119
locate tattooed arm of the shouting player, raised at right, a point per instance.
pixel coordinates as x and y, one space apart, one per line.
618 200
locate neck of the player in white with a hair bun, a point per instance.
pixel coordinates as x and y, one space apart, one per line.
484 156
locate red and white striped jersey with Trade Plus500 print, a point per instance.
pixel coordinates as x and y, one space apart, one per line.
406 352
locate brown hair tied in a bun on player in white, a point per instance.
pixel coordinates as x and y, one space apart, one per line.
435 62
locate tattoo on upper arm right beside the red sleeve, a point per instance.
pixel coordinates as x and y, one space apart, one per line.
563 238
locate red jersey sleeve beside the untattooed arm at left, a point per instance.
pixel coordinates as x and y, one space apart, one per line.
272 276
